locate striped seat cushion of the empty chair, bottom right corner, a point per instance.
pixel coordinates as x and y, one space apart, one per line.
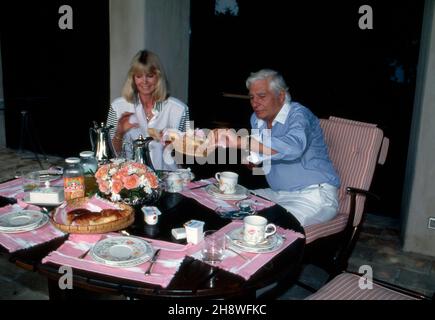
346 287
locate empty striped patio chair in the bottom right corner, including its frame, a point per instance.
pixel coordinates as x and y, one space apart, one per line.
352 286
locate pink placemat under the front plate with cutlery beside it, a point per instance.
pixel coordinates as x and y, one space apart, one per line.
169 260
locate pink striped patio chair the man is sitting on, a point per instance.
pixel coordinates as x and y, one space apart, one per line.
355 148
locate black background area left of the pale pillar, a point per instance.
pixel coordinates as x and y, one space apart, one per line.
61 77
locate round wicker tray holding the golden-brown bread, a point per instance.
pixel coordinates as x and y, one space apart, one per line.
100 228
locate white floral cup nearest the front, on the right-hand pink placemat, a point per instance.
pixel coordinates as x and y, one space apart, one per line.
256 229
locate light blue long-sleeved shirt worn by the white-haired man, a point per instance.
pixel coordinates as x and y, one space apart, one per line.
302 156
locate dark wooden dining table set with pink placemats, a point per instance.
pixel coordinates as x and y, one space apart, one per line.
191 278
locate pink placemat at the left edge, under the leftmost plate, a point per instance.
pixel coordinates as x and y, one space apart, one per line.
23 240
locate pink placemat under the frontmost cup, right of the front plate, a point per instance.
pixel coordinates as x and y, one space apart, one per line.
245 268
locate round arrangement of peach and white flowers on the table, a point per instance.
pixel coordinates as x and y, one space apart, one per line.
130 182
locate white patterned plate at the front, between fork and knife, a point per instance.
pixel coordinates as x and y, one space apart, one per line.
122 251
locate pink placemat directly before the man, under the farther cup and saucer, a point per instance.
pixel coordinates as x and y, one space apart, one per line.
206 199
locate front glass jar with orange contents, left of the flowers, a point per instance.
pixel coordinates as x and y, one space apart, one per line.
73 179
